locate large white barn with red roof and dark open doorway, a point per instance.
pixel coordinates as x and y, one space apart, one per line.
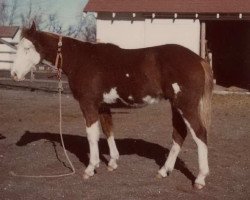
217 30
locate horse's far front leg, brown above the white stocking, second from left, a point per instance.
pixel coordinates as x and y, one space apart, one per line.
107 126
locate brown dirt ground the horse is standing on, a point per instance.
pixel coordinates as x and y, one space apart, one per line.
30 145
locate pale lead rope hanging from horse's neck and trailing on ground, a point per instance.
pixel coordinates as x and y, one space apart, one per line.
60 89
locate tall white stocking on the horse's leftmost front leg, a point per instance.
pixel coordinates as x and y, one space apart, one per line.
93 134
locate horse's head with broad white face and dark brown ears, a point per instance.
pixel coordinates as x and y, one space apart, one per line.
27 55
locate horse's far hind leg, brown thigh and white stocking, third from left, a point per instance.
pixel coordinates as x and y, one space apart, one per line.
179 135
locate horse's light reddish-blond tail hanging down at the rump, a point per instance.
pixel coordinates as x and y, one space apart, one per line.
206 99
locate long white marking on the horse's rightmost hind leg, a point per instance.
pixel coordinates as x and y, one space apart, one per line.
202 155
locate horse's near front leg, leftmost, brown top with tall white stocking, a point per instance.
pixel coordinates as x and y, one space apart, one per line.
93 129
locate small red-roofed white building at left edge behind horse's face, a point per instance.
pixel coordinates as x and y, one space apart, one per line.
10 34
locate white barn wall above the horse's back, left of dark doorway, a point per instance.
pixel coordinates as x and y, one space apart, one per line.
146 33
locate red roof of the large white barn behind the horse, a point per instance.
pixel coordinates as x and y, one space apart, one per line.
169 6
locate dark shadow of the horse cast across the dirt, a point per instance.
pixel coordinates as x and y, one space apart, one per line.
79 146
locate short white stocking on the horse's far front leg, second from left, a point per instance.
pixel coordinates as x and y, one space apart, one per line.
114 154
